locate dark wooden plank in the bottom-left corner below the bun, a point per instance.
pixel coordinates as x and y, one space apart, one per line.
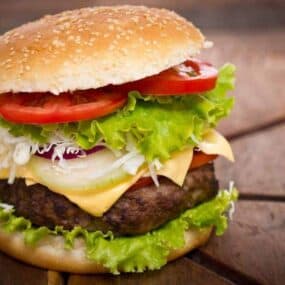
13 272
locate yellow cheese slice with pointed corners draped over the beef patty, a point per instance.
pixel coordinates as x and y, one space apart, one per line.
98 201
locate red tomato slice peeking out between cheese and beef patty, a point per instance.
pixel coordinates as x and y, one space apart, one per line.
199 159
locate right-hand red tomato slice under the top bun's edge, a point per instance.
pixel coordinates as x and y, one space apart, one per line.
190 77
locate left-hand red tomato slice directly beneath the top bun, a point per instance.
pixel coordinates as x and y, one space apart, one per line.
45 108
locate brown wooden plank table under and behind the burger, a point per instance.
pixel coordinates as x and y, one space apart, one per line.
253 249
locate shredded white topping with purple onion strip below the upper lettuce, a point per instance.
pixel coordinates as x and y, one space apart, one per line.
17 151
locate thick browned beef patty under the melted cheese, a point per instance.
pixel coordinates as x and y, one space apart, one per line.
136 212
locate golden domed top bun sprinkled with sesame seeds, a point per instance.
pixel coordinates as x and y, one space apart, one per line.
94 47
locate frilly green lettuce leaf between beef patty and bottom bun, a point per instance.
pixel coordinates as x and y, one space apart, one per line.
137 253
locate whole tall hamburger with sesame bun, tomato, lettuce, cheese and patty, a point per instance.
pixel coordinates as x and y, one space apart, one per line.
107 140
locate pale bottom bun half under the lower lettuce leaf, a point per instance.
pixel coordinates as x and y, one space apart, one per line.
50 253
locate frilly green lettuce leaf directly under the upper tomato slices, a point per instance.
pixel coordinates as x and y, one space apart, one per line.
157 126
